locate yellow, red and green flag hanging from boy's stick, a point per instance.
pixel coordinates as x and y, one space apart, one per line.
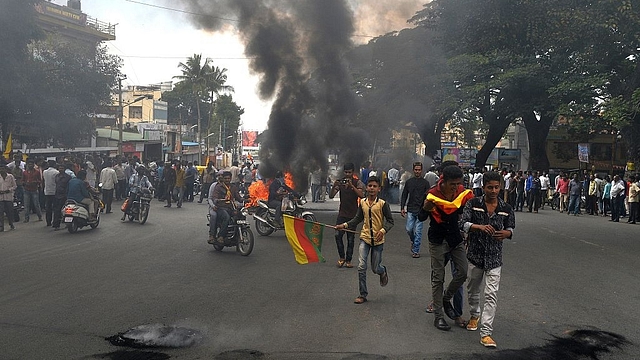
305 238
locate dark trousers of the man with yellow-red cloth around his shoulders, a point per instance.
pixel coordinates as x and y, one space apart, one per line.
438 254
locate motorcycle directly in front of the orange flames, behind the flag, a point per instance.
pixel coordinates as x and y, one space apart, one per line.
291 205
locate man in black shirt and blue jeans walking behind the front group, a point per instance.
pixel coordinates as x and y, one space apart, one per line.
413 195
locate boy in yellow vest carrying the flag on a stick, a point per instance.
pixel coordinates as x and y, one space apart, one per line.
375 214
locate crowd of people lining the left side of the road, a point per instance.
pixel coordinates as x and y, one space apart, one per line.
41 187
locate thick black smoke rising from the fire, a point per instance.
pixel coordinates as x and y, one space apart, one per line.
297 48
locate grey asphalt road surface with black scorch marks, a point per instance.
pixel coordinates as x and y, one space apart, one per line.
61 295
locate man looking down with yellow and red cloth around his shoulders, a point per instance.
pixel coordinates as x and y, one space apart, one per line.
443 205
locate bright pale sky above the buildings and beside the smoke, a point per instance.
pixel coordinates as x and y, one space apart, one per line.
152 41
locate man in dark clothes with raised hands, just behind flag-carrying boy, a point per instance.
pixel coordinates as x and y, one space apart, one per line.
351 190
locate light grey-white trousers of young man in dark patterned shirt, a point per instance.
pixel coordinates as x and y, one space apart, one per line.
492 283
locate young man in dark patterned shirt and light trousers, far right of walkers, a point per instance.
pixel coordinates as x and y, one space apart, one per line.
487 220
